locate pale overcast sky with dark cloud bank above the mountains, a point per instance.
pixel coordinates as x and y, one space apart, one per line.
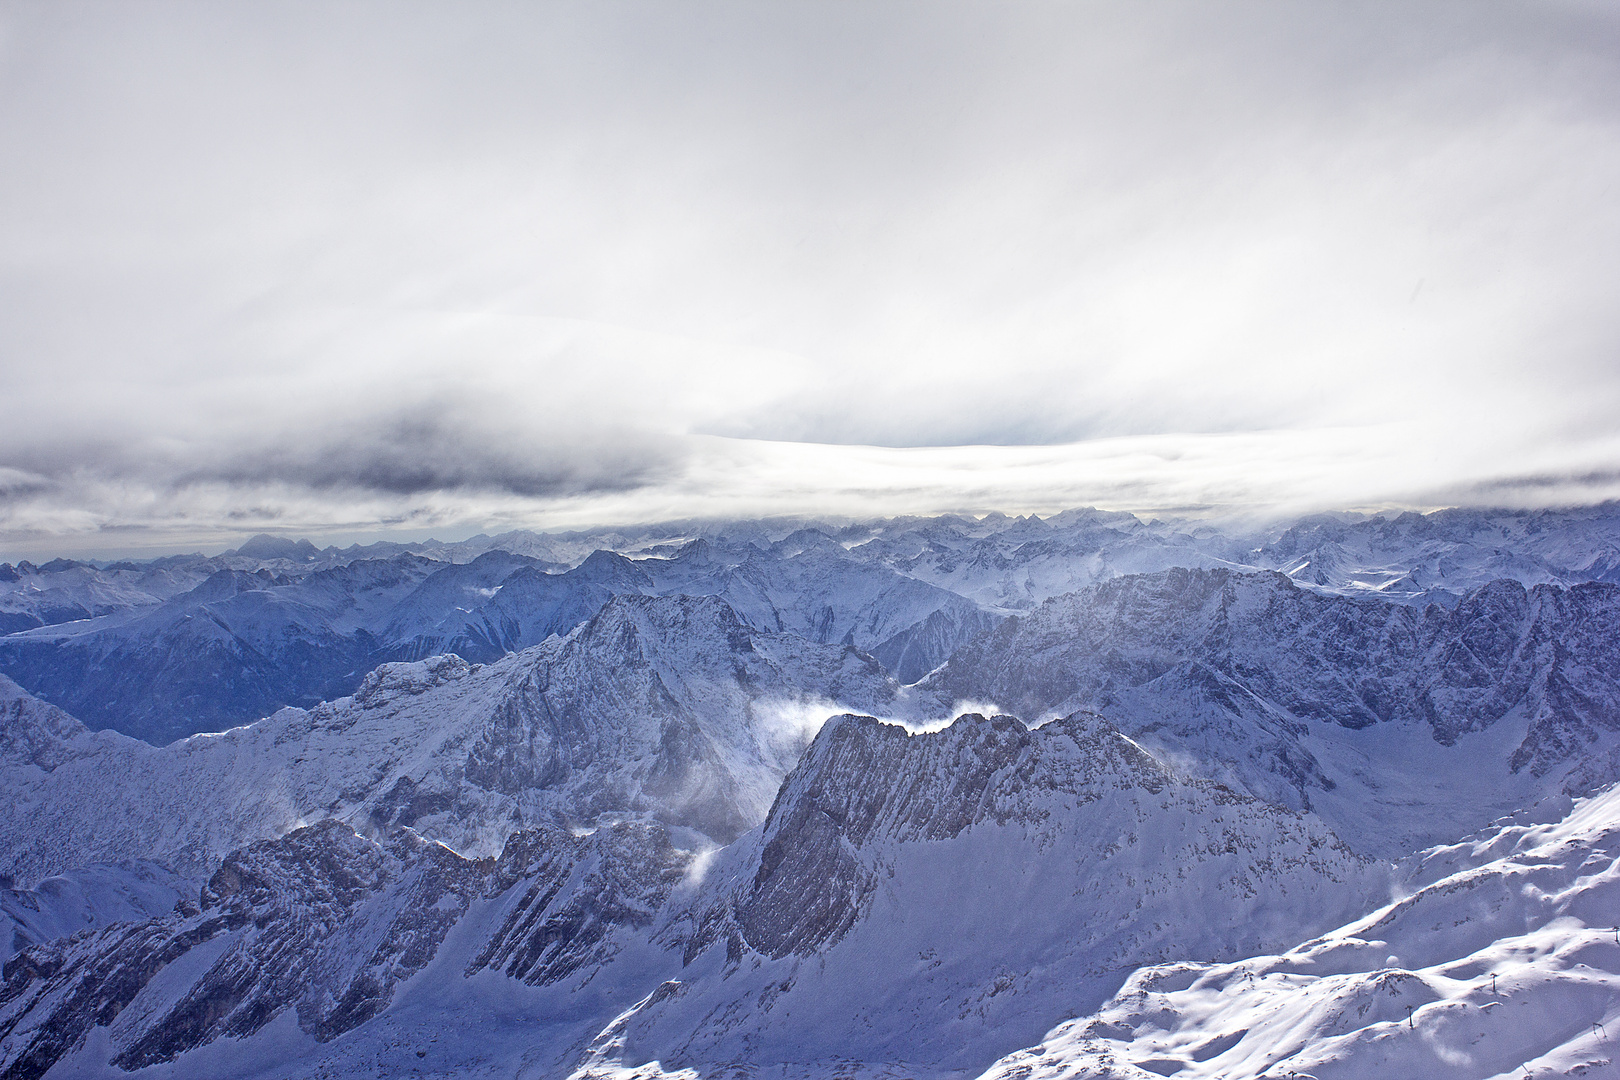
406 270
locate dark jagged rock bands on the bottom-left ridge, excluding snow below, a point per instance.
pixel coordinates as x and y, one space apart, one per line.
328 924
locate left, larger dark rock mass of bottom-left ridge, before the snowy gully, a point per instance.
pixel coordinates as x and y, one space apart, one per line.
284 914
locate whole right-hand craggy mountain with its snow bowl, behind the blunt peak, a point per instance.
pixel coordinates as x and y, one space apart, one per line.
1402 728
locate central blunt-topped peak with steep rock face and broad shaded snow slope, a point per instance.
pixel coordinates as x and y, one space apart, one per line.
927 901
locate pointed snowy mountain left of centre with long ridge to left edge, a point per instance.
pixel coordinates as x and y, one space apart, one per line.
657 707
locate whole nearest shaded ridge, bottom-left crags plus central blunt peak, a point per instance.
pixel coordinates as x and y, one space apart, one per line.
926 899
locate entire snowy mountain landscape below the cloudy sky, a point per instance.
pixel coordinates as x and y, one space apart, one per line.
1088 796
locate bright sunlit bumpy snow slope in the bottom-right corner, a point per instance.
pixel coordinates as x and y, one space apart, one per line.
1509 966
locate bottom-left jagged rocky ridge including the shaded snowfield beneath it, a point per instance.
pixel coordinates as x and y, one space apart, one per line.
297 943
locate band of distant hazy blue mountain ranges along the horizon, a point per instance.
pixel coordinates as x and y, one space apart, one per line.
187 644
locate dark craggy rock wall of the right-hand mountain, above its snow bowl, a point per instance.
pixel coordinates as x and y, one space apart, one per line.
1323 658
